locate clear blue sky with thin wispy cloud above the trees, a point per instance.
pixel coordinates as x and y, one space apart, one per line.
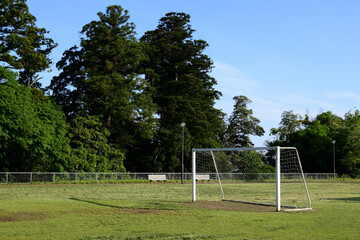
283 55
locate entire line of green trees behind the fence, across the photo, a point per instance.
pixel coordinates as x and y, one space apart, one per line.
118 101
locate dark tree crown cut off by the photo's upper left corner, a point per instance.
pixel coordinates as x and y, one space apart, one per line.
23 46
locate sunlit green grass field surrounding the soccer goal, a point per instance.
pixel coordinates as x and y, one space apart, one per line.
165 211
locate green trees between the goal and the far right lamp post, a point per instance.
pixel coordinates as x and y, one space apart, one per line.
313 139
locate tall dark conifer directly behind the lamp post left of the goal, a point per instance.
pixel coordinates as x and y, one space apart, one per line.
184 91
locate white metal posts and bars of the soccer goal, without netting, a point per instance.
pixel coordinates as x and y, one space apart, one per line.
277 166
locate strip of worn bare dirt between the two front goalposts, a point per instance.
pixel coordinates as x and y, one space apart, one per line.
232 206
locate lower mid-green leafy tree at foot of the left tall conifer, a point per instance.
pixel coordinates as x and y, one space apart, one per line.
90 150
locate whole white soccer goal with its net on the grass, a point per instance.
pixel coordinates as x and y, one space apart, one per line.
269 176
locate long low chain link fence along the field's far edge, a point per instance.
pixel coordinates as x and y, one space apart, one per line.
58 177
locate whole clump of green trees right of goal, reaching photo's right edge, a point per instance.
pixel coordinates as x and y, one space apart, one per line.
315 141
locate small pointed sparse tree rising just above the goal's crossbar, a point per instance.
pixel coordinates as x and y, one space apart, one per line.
242 124
